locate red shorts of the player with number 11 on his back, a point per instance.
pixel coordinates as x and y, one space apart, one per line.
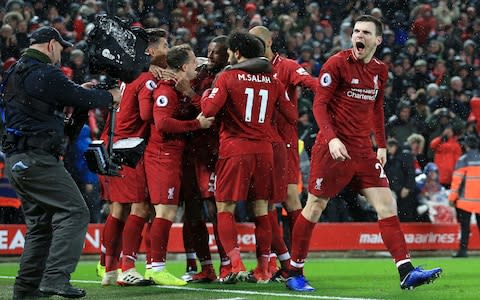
237 175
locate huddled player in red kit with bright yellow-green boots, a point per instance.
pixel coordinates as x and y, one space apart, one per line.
163 157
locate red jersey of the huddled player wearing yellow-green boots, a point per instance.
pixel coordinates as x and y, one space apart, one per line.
167 127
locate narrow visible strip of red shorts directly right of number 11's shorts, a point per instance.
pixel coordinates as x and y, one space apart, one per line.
280 171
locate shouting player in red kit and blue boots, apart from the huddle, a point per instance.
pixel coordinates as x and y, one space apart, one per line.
347 105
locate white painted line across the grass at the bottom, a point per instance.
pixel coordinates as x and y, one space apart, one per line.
243 292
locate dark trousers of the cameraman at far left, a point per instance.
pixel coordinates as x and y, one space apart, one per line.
56 217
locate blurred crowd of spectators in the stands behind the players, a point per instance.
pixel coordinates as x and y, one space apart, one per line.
431 48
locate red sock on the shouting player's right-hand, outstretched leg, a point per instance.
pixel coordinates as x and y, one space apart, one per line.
394 240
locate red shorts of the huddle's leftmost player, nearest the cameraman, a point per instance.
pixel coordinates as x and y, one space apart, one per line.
131 187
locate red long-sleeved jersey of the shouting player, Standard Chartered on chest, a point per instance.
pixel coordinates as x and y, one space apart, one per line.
349 102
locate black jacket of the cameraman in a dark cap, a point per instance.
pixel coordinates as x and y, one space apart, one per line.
46 85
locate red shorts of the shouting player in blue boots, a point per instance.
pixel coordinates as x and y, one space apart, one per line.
328 177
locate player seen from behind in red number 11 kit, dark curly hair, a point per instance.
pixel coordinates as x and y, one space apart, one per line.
247 101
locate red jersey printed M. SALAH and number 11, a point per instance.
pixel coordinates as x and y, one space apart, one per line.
247 102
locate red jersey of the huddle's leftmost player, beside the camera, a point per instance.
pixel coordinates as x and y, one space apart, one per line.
128 121
